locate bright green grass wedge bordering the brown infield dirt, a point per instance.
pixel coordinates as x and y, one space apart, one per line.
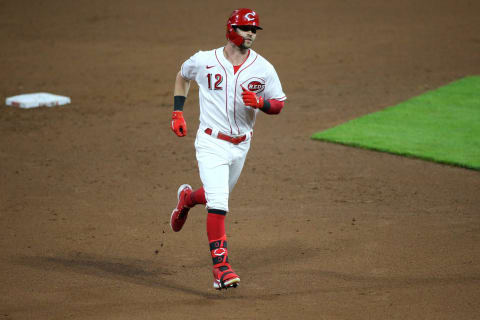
441 125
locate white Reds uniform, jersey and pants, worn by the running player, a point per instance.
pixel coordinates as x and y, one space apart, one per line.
223 111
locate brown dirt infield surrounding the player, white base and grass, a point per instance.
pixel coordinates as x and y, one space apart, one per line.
316 230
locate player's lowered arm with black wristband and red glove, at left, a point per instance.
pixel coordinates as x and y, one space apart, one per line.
180 93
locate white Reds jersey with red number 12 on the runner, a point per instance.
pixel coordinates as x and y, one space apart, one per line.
220 89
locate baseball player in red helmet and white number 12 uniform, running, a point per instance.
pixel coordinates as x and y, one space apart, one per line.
235 83
